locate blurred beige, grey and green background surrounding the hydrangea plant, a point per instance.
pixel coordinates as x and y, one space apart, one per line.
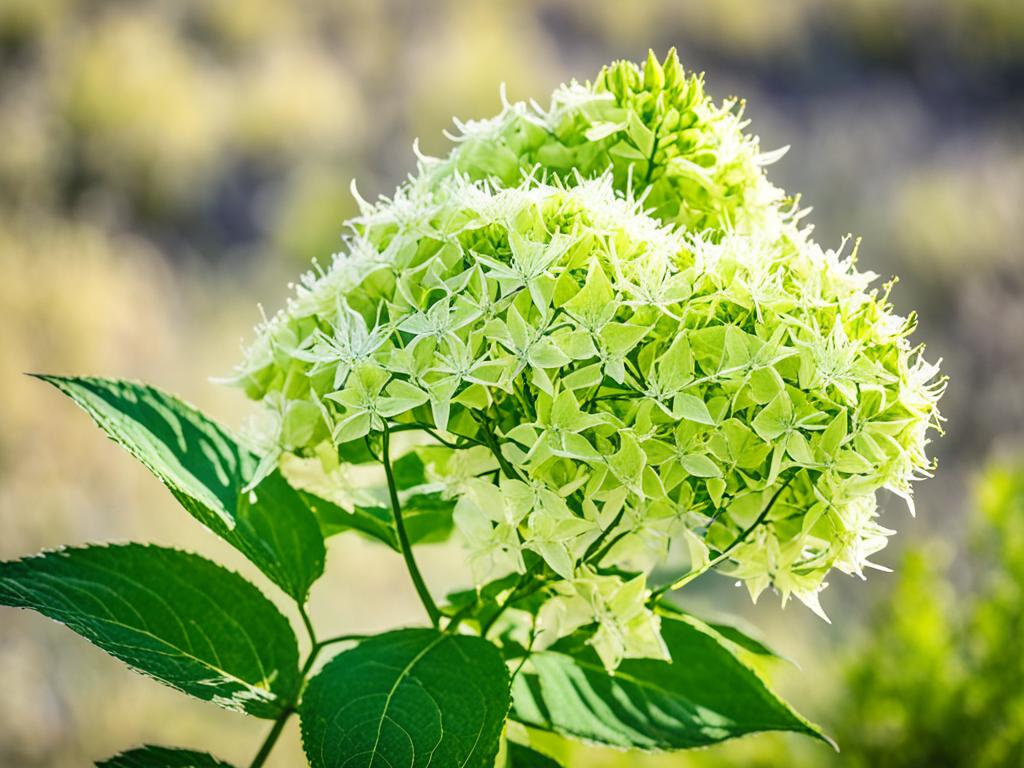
165 166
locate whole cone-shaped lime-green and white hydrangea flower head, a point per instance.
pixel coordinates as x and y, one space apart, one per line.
625 339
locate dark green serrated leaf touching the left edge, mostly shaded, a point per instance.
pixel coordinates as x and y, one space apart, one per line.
170 615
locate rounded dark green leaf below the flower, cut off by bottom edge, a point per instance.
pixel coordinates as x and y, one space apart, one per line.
411 699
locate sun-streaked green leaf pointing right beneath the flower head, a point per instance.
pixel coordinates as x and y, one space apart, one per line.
706 696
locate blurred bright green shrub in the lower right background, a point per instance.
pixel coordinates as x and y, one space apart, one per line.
942 679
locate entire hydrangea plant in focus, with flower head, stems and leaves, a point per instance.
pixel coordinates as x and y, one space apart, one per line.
606 332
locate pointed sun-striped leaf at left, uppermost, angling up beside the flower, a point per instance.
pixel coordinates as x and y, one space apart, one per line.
206 470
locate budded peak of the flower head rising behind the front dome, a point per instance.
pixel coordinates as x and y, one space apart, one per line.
657 132
